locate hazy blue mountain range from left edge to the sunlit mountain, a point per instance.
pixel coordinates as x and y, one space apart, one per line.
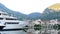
20 16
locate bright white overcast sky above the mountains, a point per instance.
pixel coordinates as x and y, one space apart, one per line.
28 6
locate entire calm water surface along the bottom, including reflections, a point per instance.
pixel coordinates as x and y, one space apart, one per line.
31 30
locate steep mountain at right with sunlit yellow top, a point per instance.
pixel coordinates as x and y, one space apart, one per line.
52 12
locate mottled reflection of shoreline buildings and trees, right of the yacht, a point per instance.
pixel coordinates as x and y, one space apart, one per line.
48 30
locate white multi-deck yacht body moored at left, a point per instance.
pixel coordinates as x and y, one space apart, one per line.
9 22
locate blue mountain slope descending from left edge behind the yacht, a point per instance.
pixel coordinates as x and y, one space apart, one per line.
11 12
